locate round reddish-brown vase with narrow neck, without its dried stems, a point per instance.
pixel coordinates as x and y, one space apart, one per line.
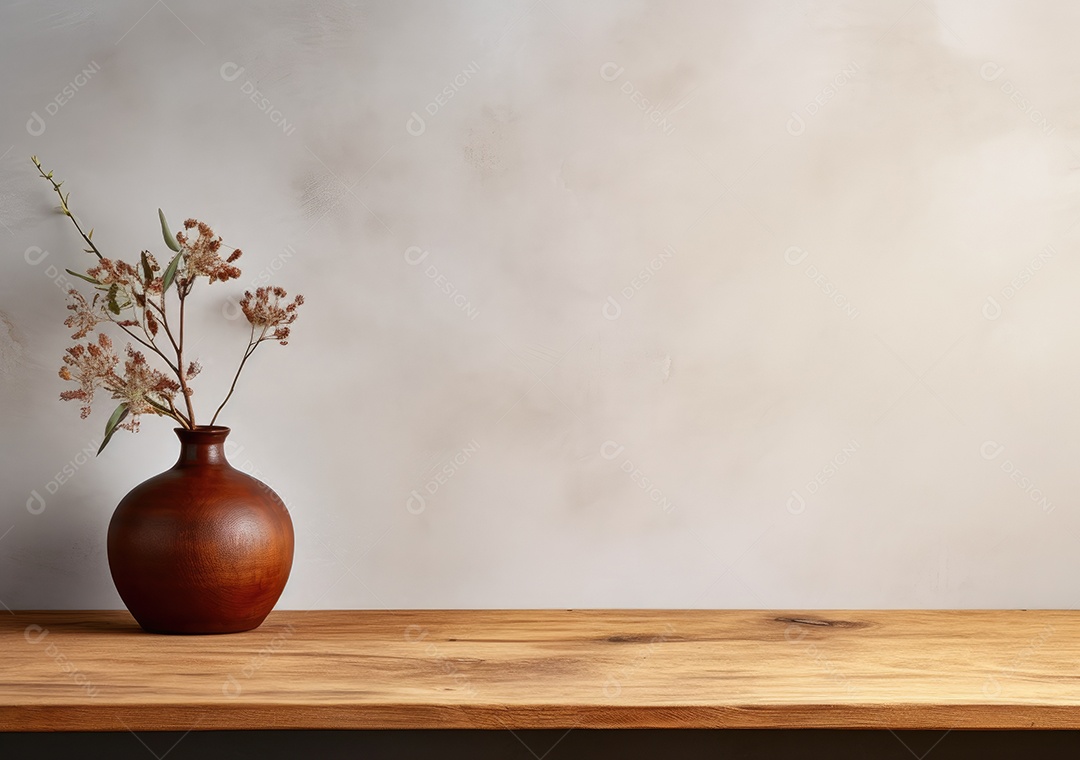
202 548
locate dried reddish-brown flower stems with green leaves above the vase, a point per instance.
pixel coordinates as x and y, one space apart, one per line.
133 300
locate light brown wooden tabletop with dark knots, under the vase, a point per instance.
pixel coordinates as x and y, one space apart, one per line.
547 669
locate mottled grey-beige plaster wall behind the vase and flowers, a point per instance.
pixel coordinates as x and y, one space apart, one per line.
610 305
